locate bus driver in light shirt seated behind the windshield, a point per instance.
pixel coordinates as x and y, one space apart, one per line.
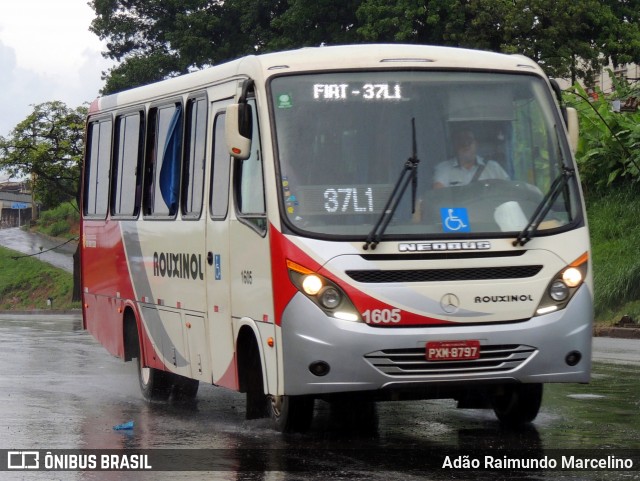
467 166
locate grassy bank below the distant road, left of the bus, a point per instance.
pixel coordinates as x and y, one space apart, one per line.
27 283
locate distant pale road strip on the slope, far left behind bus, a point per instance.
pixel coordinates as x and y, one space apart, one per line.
29 243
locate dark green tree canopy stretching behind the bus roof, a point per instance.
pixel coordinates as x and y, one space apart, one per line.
155 39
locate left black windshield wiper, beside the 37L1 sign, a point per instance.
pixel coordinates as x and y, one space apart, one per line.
409 174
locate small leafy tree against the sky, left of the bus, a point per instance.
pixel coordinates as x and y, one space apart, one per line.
47 147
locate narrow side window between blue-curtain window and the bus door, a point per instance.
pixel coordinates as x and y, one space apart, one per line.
194 153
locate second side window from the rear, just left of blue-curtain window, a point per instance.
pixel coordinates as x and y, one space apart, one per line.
127 181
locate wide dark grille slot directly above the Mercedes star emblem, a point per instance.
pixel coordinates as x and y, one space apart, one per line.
441 275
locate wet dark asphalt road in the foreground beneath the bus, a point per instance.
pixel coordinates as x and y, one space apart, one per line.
59 389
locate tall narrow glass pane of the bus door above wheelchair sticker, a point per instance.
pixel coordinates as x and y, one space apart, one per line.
219 198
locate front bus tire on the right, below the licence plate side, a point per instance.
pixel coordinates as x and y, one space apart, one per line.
517 404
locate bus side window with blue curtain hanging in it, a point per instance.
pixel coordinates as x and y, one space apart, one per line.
163 159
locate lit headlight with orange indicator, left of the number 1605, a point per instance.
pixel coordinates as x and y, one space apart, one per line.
326 294
